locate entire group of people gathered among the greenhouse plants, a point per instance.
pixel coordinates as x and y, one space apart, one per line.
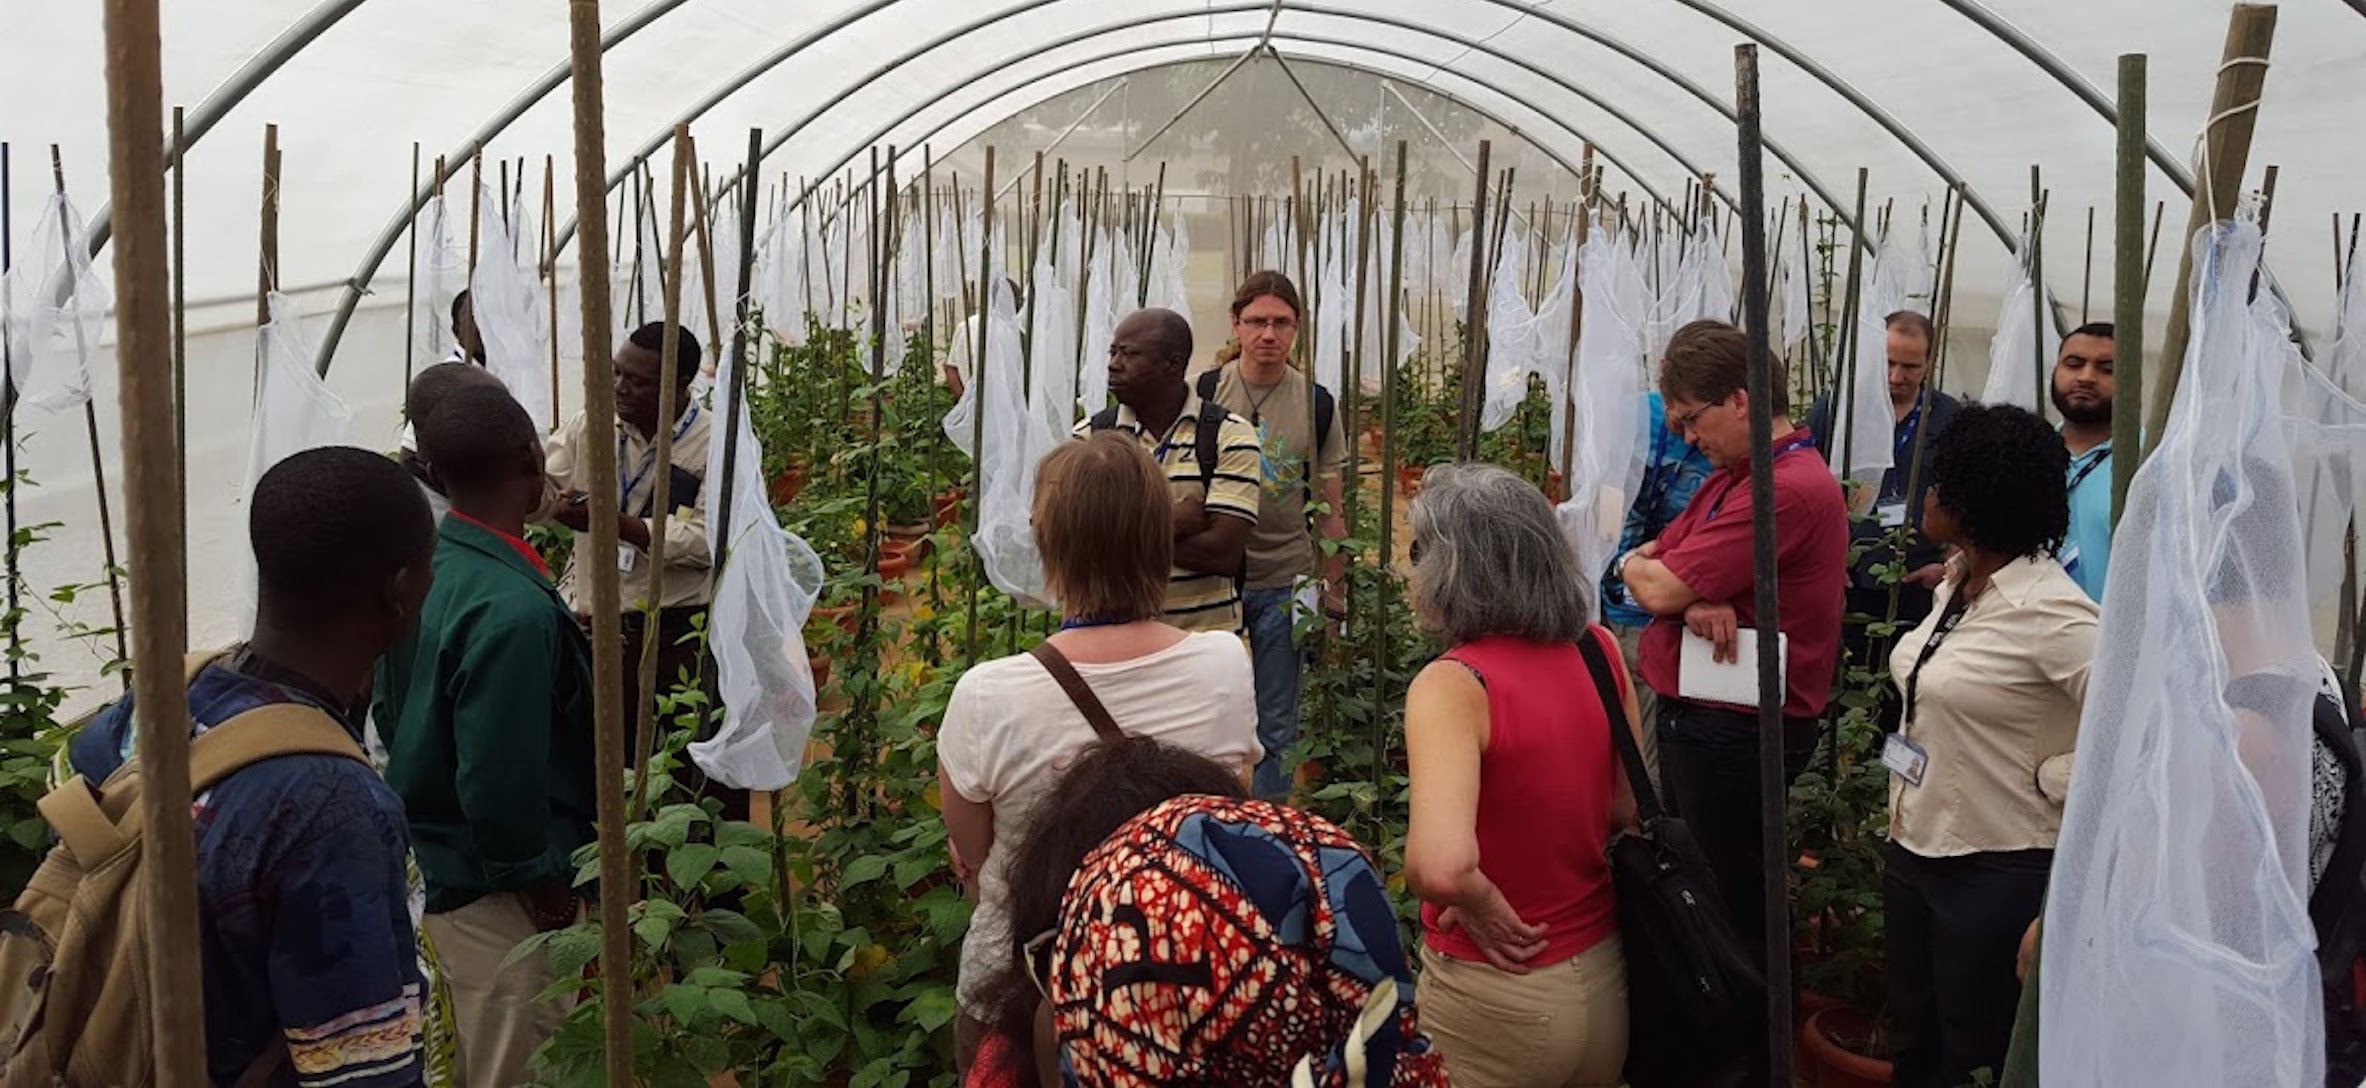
1116 801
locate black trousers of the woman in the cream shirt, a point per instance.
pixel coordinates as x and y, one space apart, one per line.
1953 931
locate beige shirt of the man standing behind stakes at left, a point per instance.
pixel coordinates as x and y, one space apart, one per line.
687 559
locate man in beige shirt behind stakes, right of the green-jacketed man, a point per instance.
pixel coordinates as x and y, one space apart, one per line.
685 588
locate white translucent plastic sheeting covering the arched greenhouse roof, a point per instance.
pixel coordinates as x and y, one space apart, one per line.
384 75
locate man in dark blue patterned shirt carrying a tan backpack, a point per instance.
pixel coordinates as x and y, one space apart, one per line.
311 969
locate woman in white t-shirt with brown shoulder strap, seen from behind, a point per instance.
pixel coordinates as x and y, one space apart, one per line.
1104 522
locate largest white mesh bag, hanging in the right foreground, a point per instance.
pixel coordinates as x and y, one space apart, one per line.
2178 945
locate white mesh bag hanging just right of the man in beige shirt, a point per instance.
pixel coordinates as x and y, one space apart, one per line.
756 626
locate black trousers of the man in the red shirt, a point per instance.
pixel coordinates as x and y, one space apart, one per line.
1709 775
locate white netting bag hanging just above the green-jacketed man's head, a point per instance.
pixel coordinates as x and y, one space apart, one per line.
512 311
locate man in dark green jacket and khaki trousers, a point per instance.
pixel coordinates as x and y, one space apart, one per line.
486 713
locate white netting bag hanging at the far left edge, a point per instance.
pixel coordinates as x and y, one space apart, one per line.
53 311
